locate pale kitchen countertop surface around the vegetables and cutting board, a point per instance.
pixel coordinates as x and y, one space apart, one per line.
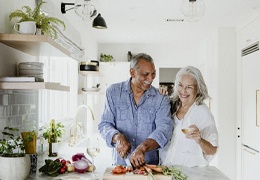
196 173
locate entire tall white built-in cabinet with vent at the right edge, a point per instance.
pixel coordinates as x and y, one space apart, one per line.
249 108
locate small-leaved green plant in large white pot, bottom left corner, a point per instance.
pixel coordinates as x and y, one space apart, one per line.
13 161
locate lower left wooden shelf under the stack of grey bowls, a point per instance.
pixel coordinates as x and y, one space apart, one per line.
34 85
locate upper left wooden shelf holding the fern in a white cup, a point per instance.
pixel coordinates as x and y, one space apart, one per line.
36 45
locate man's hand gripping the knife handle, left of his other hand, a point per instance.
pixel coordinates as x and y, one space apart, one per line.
123 147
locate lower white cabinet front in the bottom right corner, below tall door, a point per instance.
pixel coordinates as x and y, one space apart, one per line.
251 164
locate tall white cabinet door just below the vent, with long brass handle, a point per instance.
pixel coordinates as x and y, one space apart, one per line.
251 100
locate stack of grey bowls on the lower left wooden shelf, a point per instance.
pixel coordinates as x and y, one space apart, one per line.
31 69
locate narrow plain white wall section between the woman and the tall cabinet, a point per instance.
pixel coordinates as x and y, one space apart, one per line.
227 101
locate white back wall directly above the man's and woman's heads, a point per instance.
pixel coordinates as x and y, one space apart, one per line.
164 55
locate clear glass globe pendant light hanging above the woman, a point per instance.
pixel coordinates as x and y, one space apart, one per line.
193 10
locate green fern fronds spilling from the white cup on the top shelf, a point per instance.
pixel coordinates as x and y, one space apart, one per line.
43 22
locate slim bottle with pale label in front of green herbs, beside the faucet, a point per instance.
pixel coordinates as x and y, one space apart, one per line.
53 141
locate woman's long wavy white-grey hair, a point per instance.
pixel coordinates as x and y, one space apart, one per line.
202 89
